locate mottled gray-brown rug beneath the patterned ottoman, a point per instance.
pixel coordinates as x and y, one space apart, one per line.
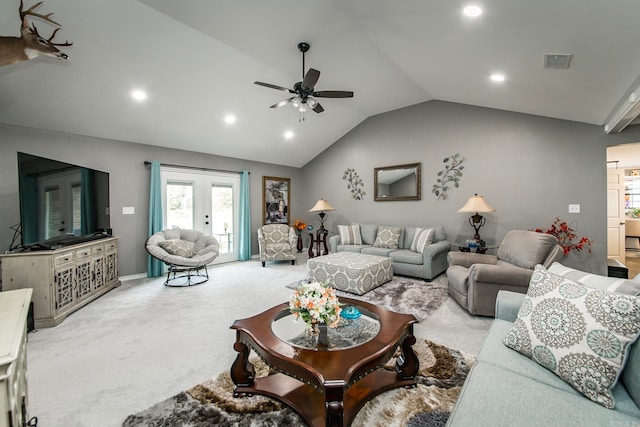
403 295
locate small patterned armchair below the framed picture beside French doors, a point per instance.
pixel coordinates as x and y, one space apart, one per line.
277 242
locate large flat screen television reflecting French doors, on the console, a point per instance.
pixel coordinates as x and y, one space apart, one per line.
61 203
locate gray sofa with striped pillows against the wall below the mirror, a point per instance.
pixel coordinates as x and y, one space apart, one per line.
426 265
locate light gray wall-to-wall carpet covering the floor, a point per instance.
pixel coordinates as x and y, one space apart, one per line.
141 343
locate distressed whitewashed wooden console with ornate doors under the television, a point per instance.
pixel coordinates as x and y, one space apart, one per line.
64 279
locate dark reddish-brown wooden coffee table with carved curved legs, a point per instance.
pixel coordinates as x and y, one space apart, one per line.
327 384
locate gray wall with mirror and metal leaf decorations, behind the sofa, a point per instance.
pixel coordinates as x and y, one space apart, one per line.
528 168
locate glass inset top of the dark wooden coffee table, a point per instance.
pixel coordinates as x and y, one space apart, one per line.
351 332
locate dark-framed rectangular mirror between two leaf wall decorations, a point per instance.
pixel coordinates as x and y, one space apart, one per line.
400 182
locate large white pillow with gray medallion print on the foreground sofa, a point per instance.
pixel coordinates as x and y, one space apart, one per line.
581 334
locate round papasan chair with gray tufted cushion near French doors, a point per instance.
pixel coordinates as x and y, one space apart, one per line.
185 252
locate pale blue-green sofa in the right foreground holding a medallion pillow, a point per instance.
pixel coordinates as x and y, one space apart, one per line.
505 388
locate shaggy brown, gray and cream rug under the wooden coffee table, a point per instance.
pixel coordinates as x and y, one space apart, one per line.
211 403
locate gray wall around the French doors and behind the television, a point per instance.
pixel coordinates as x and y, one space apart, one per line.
129 181
